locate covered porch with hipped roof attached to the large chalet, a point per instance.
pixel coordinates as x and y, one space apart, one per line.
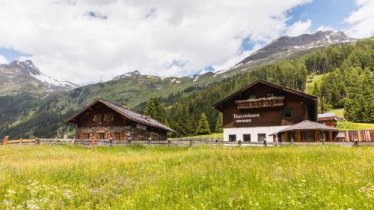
306 131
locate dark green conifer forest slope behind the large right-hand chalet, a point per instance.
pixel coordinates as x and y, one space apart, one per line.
346 81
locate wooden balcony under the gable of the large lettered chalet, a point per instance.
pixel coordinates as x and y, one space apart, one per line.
260 103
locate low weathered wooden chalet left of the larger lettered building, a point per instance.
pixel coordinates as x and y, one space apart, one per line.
106 120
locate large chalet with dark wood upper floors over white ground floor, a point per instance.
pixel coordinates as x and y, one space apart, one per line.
262 109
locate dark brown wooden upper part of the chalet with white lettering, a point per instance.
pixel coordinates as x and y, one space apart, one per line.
266 104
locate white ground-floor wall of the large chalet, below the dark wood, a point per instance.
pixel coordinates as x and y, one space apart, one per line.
253 131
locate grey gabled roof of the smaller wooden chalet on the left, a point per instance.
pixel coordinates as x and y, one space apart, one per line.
125 112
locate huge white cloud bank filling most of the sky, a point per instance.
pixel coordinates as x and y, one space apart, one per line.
86 40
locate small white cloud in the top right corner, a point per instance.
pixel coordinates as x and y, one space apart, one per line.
362 20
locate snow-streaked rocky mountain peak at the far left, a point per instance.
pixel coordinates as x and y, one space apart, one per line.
23 76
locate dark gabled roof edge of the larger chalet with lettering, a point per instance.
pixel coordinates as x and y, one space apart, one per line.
286 89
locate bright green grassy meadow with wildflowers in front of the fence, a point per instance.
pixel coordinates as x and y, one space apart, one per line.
72 177
